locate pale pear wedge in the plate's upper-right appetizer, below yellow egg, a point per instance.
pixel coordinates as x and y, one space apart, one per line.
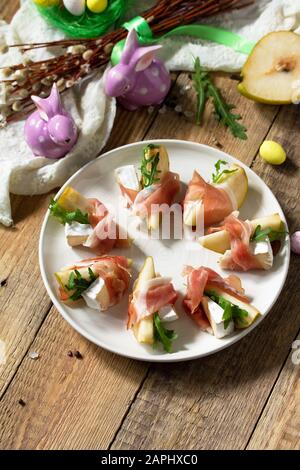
235 184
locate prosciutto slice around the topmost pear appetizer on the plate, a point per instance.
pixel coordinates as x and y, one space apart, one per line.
156 195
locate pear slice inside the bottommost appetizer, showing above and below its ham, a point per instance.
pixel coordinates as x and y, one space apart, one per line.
144 329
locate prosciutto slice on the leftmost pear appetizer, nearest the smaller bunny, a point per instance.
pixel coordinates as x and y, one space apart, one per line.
104 236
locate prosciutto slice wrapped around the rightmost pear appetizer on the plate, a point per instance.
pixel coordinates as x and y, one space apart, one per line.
240 257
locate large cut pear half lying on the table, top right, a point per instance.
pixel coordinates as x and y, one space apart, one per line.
272 70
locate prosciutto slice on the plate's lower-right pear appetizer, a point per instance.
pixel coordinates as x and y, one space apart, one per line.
200 279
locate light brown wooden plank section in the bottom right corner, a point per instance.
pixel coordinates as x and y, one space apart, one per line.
279 425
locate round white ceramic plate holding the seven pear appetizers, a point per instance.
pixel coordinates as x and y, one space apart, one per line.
108 329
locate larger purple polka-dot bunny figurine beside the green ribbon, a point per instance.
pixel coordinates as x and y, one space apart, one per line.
139 79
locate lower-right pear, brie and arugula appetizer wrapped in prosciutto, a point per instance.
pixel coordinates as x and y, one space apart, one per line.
217 305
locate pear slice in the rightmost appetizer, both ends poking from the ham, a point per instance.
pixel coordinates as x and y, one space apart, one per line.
220 241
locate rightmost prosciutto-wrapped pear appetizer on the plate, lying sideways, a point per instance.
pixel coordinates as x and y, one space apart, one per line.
246 245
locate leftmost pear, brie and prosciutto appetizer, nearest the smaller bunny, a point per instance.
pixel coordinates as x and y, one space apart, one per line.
87 222
